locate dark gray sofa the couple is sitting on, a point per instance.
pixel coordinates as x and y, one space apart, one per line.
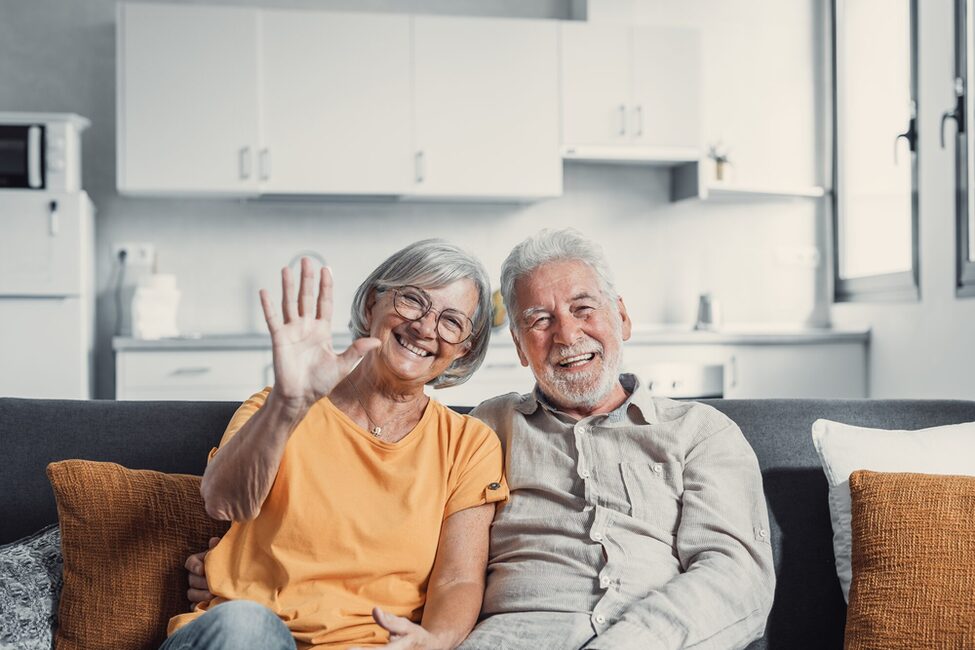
809 611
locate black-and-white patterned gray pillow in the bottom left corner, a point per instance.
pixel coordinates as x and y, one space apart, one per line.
30 585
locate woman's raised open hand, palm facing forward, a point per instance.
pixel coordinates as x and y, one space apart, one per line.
305 366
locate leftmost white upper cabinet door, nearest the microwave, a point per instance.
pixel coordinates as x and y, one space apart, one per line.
187 99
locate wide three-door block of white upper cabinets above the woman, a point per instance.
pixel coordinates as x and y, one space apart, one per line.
232 101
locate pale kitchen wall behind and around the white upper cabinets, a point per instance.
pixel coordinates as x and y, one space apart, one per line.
760 96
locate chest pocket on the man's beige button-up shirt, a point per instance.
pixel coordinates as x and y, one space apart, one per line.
654 492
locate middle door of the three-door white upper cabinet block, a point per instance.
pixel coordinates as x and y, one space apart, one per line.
336 103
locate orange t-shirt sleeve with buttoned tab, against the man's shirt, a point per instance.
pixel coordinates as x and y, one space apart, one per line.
480 478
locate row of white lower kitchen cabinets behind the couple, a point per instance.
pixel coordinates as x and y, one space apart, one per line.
745 365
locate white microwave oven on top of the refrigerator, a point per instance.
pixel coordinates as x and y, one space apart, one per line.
41 151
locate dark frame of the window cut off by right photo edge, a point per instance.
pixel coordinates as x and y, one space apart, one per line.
964 60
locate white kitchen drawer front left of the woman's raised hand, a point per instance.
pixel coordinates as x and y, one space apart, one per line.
191 374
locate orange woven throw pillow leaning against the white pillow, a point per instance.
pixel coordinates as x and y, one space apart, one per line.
913 562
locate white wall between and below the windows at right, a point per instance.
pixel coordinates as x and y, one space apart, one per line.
927 348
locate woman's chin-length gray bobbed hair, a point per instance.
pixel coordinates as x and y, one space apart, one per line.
431 264
